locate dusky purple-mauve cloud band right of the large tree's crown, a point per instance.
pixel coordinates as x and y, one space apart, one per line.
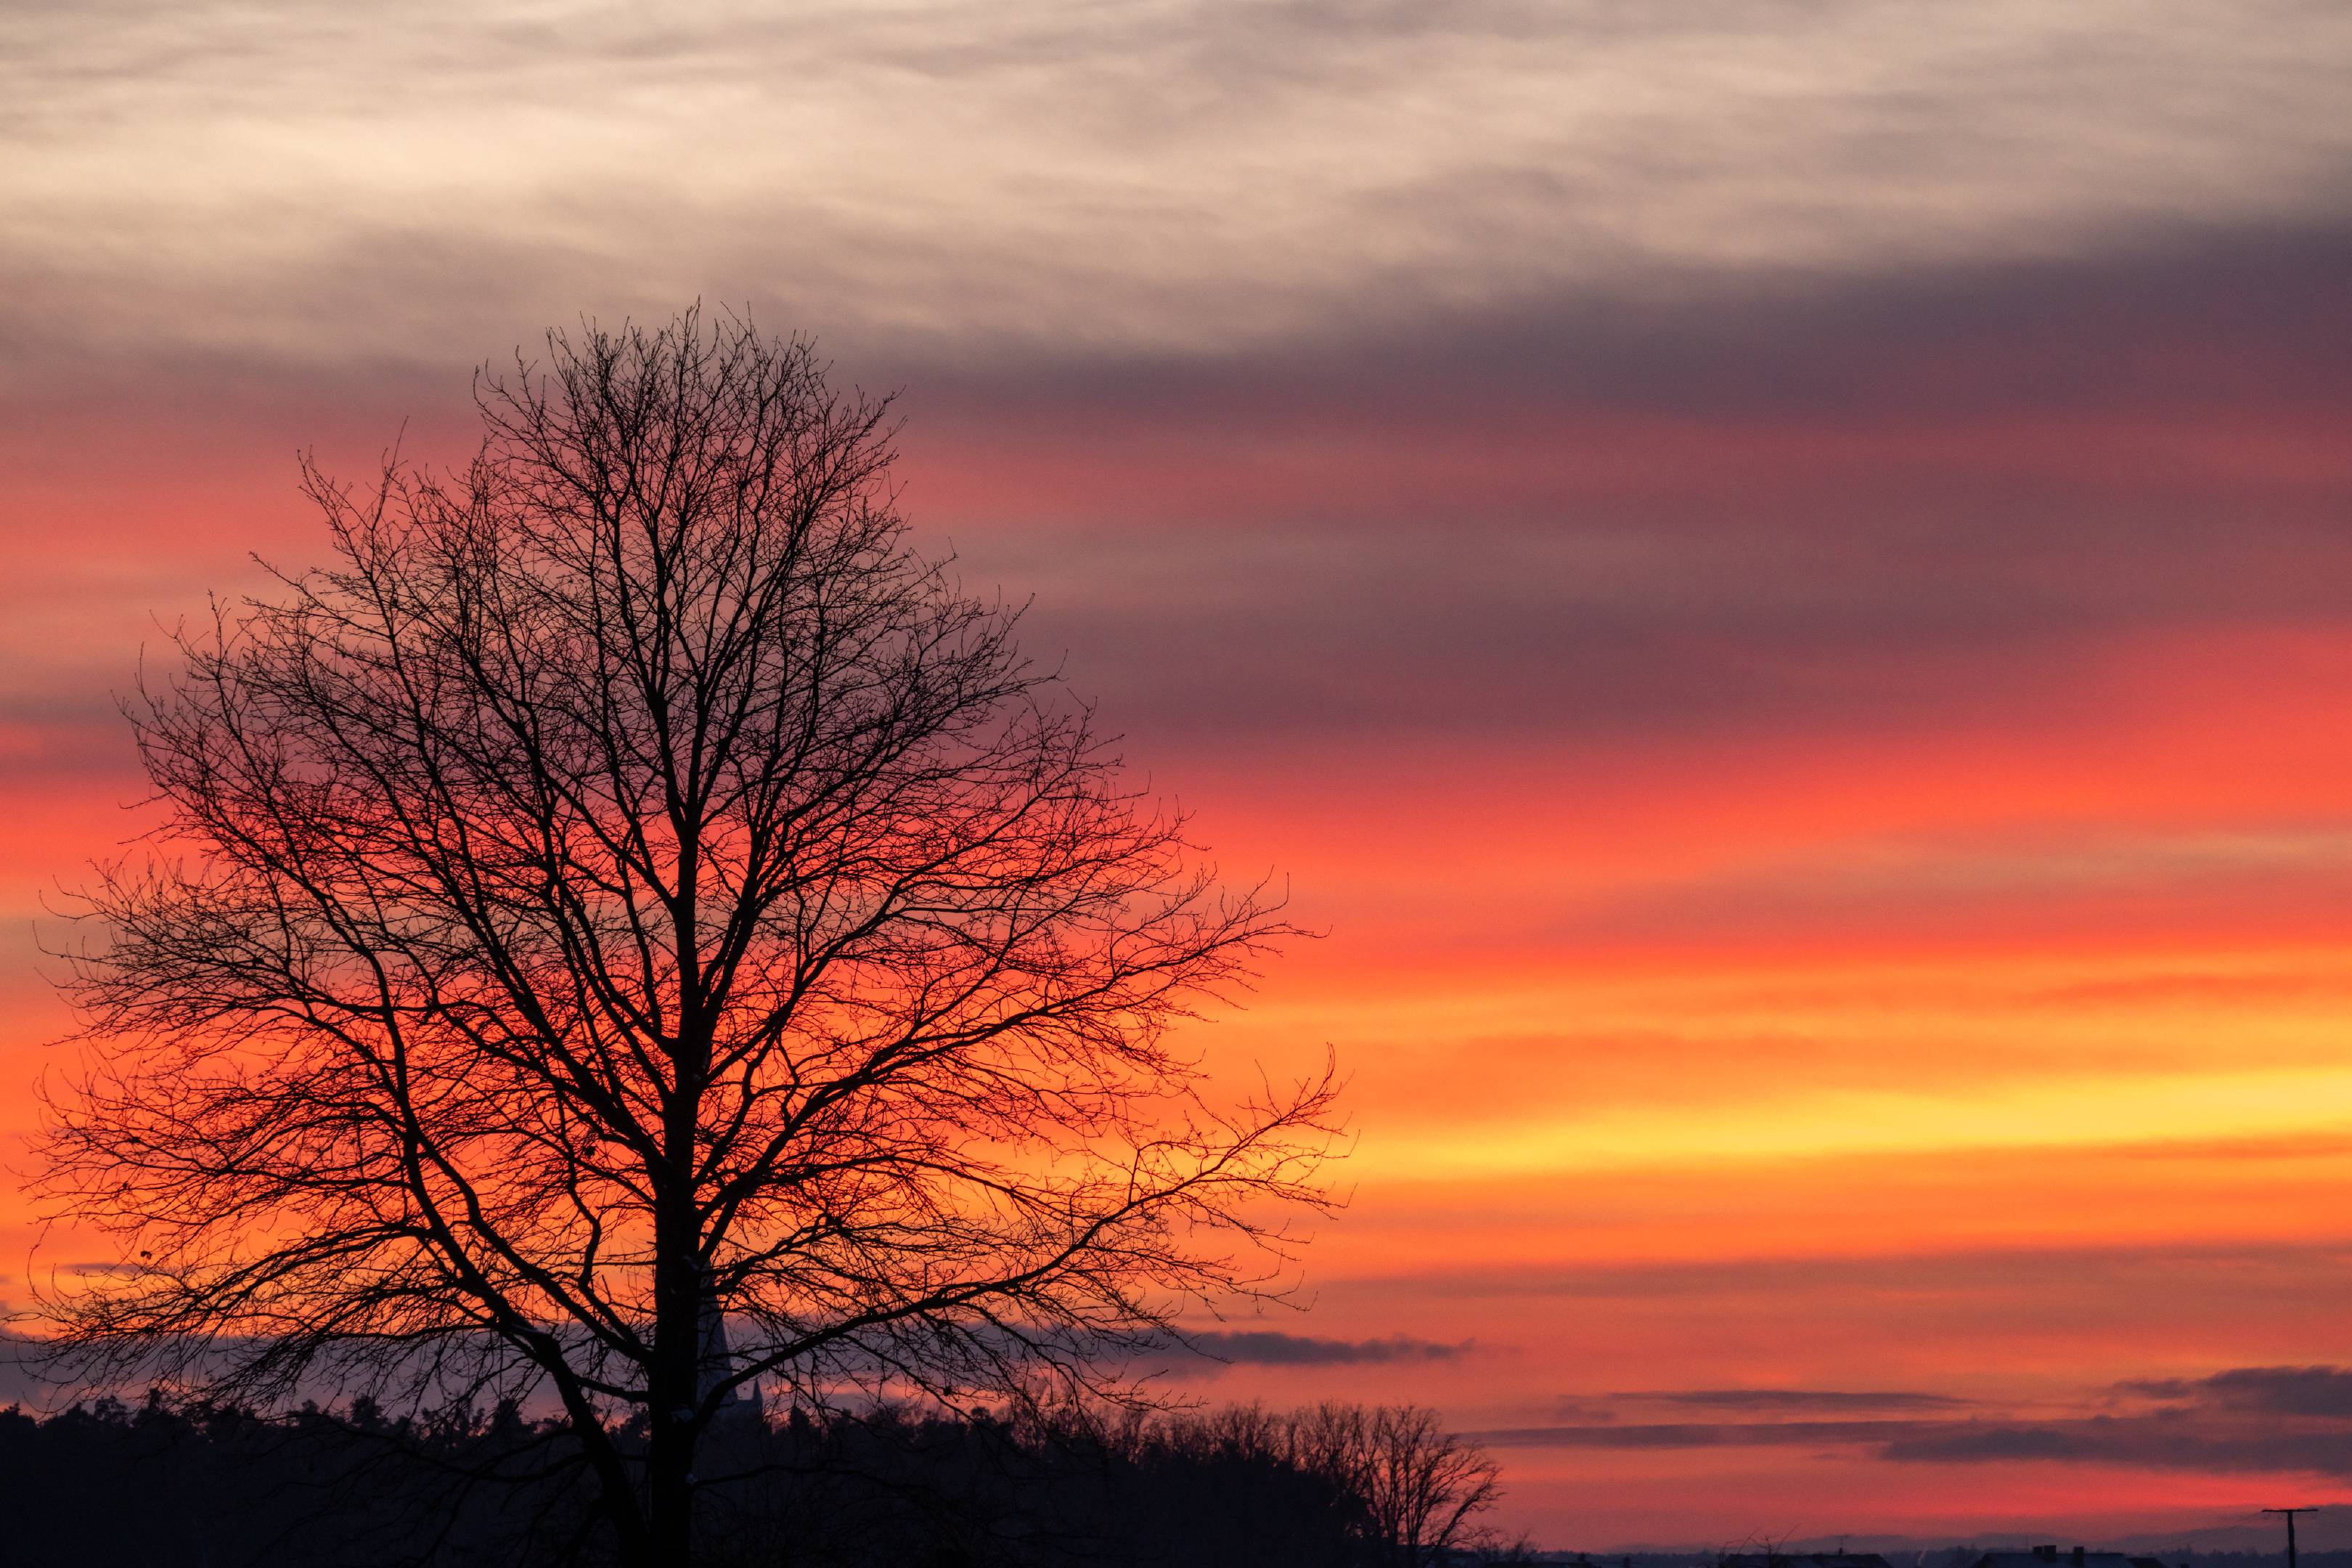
1800 509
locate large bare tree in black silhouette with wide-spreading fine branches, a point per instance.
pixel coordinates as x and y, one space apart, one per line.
634 930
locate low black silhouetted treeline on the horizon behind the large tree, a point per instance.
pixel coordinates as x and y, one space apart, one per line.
1335 1487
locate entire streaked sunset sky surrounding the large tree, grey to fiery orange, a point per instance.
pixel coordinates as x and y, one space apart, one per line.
1775 577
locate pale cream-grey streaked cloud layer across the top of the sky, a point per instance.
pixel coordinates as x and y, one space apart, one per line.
321 182
